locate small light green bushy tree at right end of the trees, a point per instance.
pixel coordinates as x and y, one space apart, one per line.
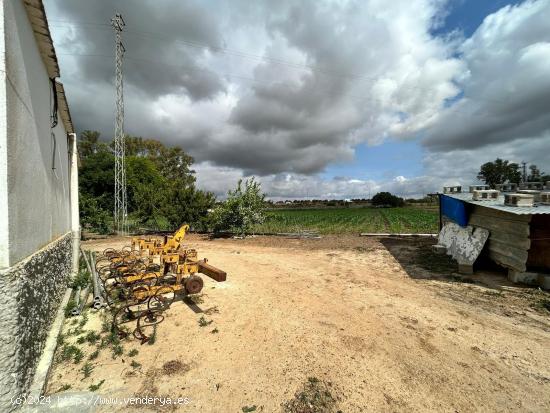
243 208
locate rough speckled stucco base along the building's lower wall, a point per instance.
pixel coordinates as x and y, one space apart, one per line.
30 294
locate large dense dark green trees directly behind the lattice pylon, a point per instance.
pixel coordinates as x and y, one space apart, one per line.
160 185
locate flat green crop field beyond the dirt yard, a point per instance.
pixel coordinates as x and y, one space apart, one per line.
351 220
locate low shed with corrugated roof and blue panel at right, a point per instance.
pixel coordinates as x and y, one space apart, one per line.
519 237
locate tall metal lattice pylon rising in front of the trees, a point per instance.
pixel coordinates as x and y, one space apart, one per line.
121 208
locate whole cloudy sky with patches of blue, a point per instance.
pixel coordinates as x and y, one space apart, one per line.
318 99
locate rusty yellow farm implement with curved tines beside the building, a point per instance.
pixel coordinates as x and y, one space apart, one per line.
142 280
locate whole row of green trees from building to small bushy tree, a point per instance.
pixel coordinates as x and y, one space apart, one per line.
161 191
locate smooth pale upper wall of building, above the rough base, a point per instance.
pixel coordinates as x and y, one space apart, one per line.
38 195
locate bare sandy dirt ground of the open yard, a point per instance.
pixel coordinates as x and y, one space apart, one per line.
353 324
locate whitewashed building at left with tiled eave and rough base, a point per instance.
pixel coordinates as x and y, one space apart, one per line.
39 228
